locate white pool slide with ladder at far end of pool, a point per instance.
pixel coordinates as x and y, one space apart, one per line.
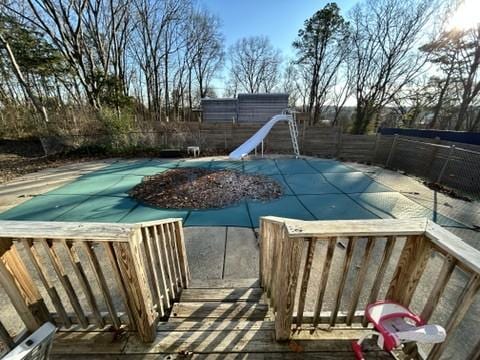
253 142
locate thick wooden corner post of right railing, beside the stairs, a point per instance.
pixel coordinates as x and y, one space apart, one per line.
286 288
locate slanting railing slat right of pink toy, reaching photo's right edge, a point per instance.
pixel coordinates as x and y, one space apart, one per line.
463 304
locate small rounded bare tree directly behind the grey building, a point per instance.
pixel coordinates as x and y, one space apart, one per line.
254 64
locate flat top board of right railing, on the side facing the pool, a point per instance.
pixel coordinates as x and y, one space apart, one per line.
345 228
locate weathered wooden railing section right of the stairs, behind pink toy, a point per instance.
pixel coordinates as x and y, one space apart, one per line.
289 249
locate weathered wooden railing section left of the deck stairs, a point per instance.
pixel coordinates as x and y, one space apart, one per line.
92 275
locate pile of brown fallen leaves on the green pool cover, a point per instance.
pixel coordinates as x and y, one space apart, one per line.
197 188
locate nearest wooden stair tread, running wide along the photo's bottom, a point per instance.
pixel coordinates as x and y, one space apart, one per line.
334 344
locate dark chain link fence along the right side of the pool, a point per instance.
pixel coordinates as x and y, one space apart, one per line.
449 166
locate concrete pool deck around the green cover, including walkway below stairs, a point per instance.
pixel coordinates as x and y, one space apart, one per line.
223 252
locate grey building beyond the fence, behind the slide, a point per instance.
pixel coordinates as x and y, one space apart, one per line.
246 108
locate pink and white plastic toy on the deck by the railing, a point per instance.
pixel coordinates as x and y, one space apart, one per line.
394 324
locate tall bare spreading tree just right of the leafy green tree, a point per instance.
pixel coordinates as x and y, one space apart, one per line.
385 34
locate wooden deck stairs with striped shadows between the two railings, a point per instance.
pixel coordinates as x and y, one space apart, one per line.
229 319
